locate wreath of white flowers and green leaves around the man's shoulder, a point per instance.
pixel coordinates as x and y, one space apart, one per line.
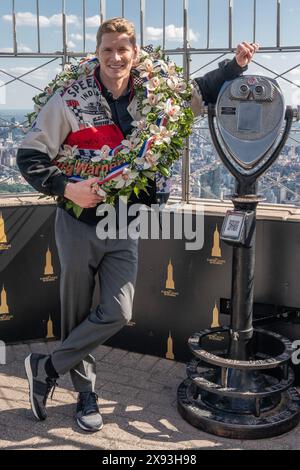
157 139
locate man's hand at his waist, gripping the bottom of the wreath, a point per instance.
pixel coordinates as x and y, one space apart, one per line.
86 193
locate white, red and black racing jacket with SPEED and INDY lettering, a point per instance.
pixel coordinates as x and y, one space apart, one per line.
82 119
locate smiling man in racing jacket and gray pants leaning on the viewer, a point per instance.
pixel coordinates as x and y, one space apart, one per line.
91 112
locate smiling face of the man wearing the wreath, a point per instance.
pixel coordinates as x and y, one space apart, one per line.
116 55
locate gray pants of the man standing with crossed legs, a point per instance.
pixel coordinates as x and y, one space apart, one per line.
82 257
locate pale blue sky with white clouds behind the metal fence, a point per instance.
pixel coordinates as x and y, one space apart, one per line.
18 96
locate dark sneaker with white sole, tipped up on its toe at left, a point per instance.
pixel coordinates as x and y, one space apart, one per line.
40 384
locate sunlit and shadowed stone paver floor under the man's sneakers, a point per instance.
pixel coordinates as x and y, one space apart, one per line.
137 398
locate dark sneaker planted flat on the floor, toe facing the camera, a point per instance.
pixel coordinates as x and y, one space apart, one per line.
88 416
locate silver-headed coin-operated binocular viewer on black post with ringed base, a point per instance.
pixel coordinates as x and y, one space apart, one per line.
243 391
